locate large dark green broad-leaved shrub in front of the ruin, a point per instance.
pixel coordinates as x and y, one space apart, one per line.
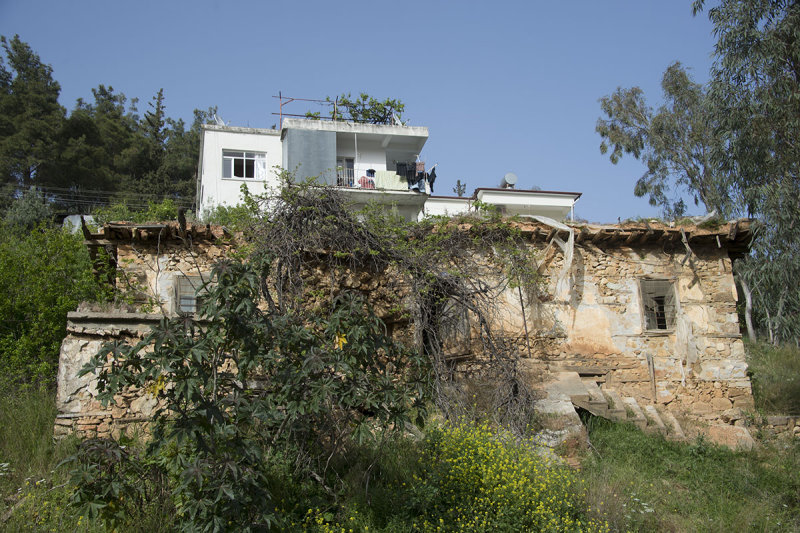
242 384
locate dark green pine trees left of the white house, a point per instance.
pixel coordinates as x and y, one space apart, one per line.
102 150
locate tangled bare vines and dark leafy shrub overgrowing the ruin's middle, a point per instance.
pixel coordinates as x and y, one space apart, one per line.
334 330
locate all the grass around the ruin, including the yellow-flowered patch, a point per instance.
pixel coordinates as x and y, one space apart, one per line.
630 480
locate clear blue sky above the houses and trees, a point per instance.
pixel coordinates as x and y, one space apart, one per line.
502 86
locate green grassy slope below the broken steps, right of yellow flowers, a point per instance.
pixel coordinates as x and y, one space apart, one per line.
641 482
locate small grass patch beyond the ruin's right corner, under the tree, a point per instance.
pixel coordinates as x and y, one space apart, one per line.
775 375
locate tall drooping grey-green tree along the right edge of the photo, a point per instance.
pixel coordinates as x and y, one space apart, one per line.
755 91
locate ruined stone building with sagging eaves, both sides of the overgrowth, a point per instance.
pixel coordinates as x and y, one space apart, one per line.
635 321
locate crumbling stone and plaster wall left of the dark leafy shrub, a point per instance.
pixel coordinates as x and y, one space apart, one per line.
147 271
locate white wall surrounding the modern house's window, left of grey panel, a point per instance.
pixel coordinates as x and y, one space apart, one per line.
216 190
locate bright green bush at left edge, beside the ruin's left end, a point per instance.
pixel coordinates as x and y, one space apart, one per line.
44 274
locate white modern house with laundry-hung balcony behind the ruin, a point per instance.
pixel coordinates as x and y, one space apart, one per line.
371 162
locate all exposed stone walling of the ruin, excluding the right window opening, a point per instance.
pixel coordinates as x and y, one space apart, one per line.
587 316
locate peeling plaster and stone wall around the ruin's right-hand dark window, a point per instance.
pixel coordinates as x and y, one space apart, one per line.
598 326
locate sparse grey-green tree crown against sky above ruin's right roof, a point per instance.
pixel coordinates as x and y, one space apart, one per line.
675 142
